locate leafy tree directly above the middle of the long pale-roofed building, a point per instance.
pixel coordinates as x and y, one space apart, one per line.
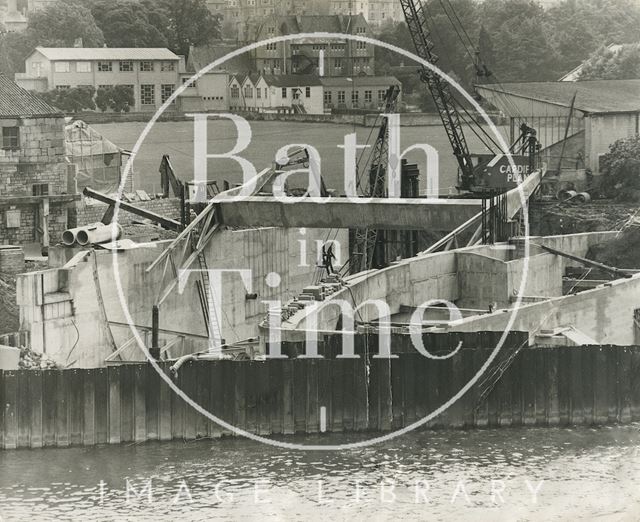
131 24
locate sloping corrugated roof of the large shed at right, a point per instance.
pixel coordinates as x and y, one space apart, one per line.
594 96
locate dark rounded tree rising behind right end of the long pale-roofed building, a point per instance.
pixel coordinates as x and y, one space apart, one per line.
190 23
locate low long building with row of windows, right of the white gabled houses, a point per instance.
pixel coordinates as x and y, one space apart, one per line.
357 92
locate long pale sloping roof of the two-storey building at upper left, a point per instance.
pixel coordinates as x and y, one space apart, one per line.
107 53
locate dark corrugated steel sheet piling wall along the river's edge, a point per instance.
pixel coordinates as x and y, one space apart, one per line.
130 403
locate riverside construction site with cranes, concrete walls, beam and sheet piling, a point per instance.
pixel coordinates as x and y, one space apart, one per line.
317 312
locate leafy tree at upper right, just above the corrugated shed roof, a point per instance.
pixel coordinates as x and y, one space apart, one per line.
610 64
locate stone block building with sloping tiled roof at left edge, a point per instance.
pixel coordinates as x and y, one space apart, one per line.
33 168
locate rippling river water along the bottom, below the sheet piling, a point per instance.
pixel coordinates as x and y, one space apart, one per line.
480 475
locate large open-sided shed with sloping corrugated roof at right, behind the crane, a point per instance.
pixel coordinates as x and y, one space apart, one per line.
605 110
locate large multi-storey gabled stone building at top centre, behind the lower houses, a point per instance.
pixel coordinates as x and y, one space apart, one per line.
341 57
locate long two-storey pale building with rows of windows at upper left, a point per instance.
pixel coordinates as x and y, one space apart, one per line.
152 74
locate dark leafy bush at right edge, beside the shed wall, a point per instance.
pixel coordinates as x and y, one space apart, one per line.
621 168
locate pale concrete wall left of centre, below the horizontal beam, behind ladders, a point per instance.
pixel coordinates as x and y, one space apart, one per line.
62 310
